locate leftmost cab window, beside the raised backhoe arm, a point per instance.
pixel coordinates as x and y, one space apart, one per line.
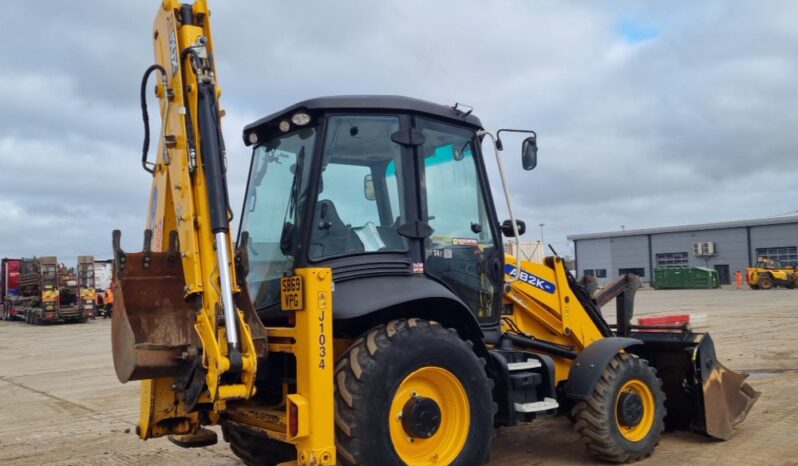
278 182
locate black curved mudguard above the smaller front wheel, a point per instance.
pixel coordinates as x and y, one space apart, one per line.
590 364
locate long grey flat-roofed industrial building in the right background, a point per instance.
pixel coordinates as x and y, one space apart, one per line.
726 247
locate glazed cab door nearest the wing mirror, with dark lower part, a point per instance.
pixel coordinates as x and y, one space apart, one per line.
462 251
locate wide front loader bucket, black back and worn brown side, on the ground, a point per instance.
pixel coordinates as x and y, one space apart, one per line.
702 395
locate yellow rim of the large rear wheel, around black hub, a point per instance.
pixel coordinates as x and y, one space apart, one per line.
447 442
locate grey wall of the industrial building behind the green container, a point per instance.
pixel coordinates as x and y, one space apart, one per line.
731 246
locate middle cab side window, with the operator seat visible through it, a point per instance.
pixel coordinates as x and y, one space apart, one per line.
359 206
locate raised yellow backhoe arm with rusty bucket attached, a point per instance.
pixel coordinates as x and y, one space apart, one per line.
178 325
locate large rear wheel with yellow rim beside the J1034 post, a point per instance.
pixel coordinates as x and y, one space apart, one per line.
412 392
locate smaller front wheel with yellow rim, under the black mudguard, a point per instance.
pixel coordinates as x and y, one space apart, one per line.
600 423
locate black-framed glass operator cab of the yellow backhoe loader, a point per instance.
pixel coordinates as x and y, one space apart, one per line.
389 192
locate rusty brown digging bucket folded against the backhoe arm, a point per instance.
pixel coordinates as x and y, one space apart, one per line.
152 326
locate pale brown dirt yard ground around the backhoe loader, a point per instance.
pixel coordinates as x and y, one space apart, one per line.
60 402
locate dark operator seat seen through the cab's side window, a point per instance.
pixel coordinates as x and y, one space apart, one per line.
330 235
